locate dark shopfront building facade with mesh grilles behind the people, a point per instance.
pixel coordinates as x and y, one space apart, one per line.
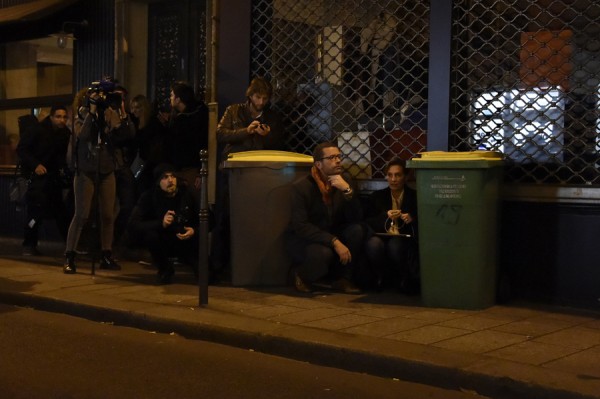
380 77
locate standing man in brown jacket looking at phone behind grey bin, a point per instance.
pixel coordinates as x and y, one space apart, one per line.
246 126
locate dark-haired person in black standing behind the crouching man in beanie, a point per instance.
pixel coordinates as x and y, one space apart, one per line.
188 134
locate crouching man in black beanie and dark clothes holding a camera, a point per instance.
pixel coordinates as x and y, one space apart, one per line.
165 220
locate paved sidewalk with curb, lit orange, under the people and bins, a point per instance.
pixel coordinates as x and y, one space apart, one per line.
512 351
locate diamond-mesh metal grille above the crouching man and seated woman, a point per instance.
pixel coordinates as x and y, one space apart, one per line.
351 71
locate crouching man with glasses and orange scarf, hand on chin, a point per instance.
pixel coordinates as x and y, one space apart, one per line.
325 235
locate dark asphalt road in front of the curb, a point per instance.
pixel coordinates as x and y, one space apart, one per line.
48 355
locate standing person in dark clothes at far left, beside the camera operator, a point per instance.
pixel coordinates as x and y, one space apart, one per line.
42 151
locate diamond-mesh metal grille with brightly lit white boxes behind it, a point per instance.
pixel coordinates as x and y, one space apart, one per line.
526 81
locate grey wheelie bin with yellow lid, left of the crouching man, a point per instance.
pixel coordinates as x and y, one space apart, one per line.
260 210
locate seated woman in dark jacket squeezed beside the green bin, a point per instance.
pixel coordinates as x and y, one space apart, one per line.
393 212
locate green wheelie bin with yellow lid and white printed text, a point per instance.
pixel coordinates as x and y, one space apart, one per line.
458 200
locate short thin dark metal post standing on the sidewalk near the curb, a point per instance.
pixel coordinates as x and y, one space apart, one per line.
203 232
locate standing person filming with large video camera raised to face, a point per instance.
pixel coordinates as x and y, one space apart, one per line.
98 128
